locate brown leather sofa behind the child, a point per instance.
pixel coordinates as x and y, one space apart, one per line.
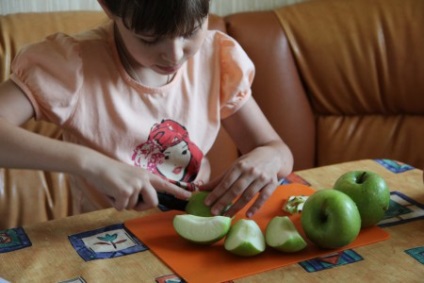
339 80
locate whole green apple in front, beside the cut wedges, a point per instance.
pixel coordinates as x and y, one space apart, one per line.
330 219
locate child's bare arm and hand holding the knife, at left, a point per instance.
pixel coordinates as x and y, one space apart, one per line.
122 183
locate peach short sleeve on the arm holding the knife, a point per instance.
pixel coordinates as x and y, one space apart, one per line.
50 74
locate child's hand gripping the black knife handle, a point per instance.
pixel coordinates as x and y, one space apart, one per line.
130 187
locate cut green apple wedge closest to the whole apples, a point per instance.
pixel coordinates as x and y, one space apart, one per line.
281 234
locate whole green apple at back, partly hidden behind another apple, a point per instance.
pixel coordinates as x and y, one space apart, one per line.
370 193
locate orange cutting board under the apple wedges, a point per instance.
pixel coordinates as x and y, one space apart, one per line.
197 263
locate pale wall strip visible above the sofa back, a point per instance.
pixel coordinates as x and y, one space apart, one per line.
220 7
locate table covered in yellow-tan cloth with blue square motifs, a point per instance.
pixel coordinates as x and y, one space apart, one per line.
51 257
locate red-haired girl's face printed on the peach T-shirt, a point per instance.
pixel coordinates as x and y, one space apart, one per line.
169 152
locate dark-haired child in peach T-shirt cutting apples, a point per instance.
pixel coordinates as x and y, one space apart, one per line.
140 101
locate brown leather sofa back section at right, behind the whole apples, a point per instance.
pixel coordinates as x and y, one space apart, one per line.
360 62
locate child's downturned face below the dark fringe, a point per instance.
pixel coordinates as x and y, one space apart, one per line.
164 55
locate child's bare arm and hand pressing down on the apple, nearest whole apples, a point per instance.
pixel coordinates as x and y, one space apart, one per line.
265 160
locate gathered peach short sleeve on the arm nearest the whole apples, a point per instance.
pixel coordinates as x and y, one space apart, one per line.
237 73
